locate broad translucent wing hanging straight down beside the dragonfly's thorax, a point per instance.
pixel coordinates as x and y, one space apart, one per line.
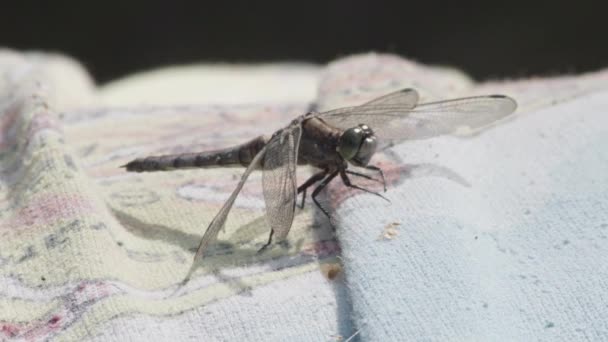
279 179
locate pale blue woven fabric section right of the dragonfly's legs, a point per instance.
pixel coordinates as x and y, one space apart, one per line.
518 254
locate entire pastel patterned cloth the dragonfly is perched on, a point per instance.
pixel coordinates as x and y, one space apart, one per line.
497 236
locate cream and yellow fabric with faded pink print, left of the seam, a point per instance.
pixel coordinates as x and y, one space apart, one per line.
89 251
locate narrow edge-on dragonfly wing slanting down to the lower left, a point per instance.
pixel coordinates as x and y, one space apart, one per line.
218 221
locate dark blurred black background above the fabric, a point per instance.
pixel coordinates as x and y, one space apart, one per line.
487 40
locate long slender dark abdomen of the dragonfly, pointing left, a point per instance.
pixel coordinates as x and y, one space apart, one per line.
235 156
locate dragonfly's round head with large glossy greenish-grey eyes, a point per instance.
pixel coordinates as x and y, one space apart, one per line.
357 145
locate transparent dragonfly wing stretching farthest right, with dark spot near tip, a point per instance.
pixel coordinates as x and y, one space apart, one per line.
395 123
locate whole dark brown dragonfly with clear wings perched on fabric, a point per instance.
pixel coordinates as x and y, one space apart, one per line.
339 142
